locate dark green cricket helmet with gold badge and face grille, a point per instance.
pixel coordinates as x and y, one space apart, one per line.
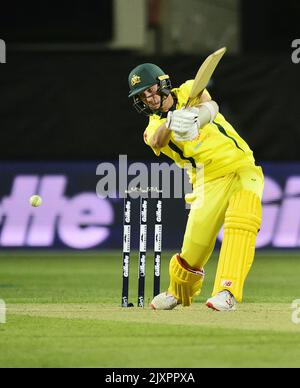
144 77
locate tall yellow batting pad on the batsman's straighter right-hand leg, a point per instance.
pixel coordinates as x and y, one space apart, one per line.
242 222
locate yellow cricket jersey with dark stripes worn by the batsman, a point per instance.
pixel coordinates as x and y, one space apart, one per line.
218 148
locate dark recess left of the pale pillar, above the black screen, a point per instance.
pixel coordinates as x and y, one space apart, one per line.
56 21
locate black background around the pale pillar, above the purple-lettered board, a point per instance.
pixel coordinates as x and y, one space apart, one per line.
73 105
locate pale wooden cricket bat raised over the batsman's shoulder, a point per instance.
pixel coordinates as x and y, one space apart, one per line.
204 75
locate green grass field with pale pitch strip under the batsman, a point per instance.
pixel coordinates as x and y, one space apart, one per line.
63 311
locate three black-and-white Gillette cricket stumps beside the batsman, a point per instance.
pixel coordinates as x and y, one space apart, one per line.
127 230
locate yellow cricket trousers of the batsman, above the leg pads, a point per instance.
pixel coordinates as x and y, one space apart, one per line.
206 220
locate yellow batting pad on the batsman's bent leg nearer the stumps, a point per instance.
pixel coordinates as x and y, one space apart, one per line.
184 284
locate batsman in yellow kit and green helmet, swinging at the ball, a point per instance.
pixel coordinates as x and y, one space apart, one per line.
233 187
